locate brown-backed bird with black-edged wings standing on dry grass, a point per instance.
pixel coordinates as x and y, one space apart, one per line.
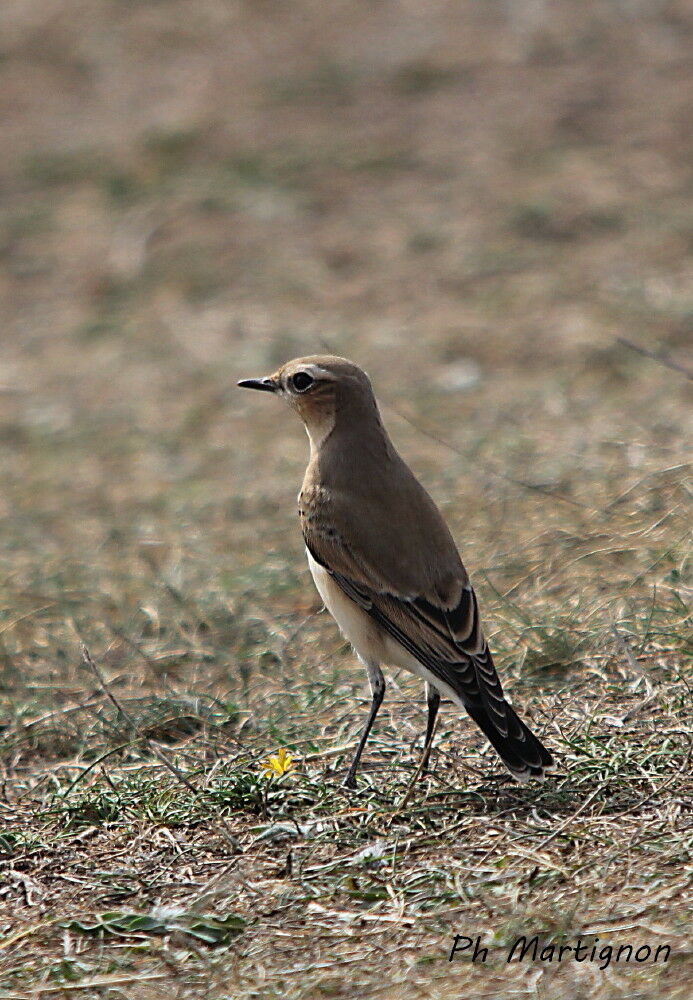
386 565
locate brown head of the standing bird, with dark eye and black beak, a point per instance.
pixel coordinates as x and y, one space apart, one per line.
322 389
